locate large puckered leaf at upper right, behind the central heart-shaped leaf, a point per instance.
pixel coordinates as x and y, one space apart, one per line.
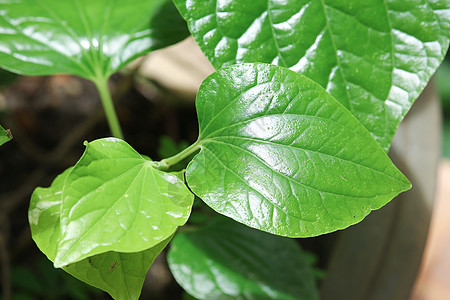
374 56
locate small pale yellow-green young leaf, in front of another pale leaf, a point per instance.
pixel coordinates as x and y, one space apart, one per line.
115 200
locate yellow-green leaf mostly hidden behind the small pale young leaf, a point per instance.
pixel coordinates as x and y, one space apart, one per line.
119 274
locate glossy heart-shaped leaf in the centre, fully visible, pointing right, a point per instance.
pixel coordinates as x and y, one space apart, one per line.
278 153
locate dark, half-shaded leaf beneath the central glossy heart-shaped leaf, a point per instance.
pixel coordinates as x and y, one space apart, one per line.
229 261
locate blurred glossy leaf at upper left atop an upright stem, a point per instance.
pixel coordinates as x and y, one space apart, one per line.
91 39
